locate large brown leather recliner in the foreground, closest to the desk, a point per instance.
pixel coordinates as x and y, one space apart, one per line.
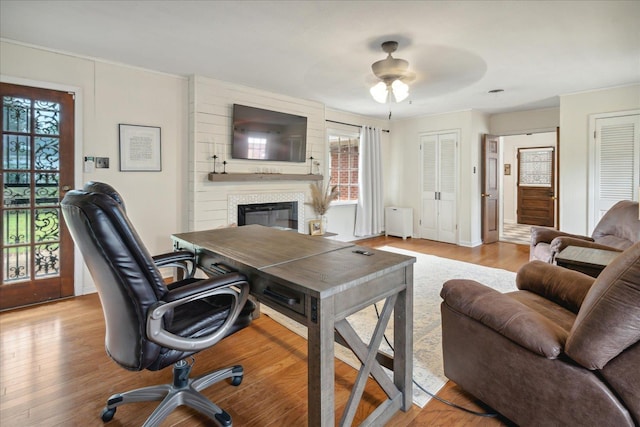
563 350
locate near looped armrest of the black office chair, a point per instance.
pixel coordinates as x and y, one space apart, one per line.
233 284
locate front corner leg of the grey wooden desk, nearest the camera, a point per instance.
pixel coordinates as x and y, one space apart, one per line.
321 371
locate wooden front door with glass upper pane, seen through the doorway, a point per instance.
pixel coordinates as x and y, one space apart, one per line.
536 184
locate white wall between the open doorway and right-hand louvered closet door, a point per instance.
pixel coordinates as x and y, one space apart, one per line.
575 110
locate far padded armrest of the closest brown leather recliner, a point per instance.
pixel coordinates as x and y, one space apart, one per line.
564 287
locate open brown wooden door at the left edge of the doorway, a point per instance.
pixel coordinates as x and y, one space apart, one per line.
490 188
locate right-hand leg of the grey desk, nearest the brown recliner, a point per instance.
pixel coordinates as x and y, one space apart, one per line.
403 337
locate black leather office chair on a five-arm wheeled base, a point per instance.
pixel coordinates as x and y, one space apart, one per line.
150 325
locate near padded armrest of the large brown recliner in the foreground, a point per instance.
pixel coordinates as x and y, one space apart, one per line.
506 316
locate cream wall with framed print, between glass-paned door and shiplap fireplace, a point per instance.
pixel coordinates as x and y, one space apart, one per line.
110 94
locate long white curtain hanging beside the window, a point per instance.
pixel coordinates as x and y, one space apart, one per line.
370 210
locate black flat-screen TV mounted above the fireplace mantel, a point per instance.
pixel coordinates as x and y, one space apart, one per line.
268 135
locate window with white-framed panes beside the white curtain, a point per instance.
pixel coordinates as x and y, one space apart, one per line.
344 153
